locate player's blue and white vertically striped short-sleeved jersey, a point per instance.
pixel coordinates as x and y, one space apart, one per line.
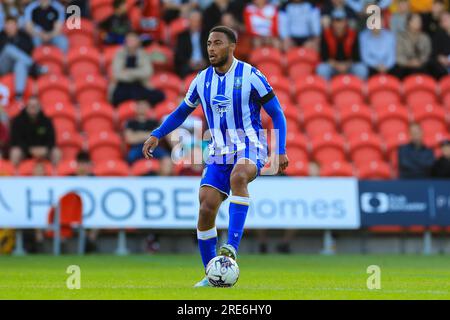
231 103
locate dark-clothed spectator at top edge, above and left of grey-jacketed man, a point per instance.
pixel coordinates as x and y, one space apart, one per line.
117 25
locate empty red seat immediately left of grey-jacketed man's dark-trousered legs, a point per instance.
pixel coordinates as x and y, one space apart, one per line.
91 88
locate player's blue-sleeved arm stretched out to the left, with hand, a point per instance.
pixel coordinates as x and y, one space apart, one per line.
173 121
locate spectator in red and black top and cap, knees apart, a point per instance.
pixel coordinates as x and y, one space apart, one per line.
340 49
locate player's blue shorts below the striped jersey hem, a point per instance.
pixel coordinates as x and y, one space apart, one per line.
218 169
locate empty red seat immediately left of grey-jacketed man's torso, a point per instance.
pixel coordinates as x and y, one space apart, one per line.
84 60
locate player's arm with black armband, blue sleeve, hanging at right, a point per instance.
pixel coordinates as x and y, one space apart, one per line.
271 104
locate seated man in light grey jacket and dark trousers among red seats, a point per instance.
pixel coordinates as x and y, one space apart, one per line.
132 68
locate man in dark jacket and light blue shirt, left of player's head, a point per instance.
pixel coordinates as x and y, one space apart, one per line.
190 49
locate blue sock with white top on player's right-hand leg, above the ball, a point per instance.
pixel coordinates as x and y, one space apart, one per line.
238 213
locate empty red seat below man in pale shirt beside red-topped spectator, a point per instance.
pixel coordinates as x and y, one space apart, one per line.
384 90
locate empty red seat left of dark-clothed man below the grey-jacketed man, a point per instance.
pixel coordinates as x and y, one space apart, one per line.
104 145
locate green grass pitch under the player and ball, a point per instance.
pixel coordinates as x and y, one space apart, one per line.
262 277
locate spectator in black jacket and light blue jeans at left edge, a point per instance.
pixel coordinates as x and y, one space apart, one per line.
15 54
